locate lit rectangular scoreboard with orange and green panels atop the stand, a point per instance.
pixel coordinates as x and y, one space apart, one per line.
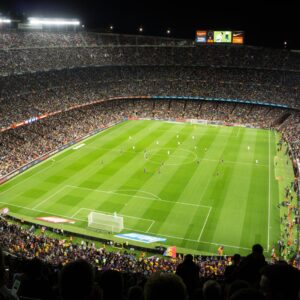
219 37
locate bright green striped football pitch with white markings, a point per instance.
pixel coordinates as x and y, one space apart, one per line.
197 186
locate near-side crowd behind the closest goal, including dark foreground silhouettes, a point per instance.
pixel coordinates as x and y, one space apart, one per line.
41 267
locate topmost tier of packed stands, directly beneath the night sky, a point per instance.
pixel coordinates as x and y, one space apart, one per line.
38 51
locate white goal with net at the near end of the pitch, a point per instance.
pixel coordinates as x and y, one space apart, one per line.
105 222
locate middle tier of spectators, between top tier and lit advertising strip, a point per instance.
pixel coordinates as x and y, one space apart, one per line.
25 96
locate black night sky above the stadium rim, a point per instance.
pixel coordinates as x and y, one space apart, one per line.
264 24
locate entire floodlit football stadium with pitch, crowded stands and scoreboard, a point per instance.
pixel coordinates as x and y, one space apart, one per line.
150 145
